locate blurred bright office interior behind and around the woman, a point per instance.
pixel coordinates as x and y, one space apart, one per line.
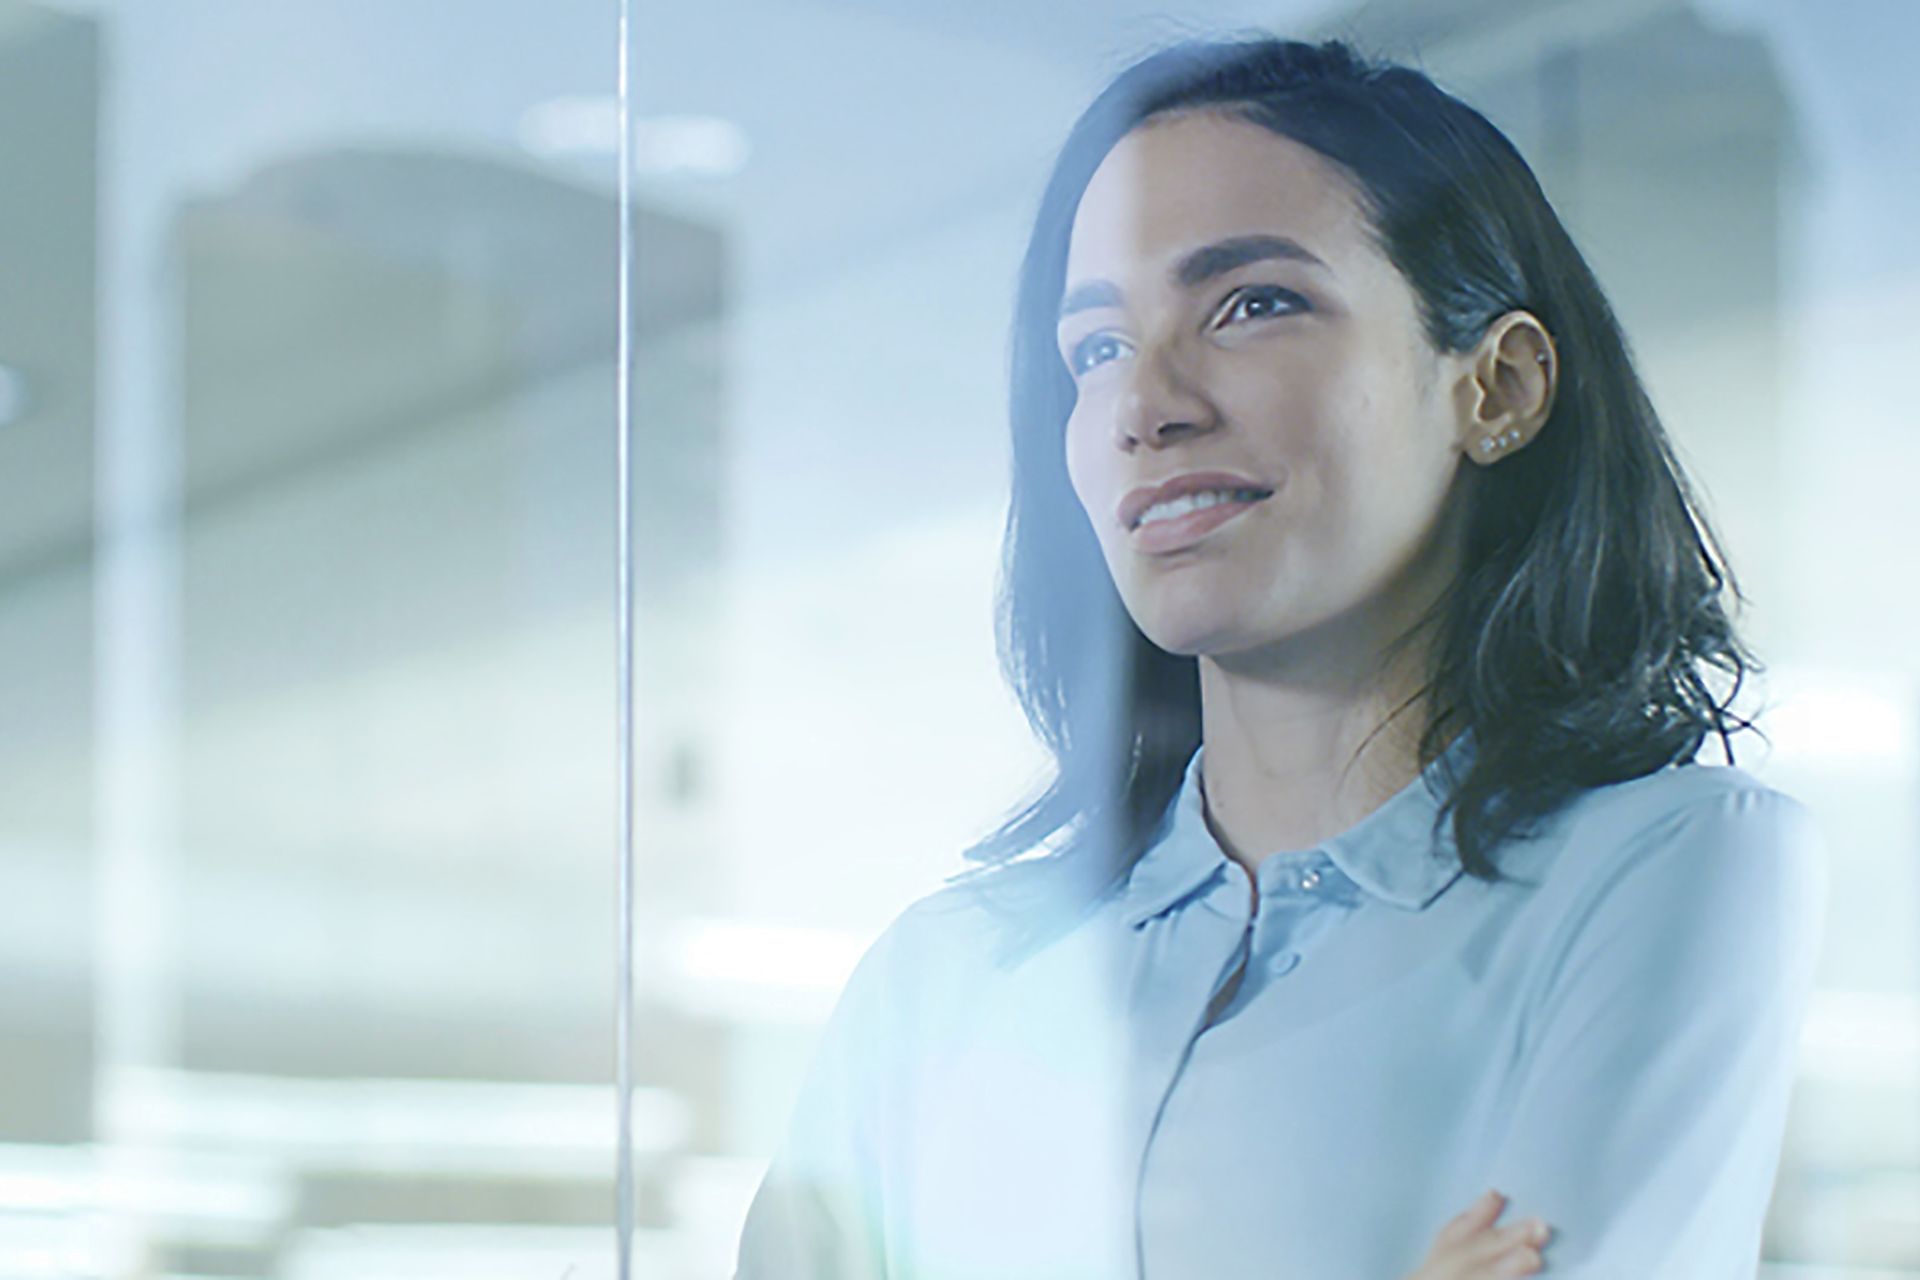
308 776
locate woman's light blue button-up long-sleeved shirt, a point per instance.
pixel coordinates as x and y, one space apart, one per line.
1610 1043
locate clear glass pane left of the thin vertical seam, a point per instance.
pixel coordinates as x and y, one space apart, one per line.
308 316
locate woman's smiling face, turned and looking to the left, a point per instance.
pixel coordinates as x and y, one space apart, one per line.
1232 329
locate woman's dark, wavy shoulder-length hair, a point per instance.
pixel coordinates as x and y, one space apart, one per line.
1577 640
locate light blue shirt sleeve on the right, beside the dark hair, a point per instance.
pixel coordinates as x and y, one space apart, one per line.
1656 1066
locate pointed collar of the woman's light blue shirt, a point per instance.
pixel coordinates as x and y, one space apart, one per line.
1391 855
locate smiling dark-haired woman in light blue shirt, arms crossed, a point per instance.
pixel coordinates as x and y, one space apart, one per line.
1360 598
